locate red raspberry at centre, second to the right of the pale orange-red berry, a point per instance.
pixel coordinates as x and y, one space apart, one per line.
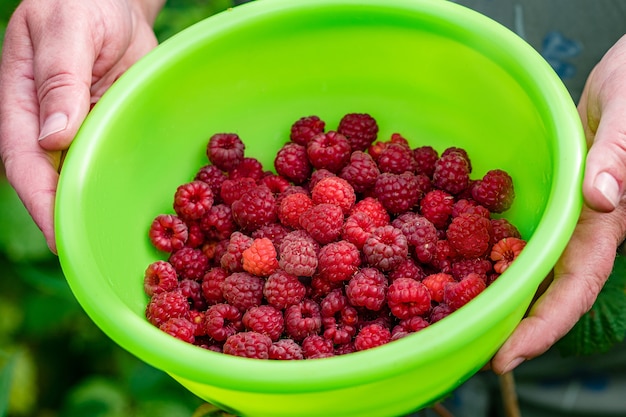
338 261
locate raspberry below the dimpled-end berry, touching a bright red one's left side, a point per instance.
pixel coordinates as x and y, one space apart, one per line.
367 288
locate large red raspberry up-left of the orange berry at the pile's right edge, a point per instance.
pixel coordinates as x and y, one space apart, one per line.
470 235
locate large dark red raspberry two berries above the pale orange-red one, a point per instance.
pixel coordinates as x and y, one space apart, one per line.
255 208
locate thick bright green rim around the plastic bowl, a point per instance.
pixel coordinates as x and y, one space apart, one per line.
193 363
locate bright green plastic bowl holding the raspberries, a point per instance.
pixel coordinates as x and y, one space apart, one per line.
434 71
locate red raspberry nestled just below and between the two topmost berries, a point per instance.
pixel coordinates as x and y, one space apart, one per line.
330 150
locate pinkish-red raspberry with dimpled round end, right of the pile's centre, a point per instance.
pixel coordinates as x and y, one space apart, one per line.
386 248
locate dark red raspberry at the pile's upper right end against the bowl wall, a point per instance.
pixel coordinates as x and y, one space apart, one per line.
494 191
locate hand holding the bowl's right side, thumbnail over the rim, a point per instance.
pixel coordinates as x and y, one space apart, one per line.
588 258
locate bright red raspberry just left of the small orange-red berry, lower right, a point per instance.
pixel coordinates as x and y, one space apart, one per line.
407 298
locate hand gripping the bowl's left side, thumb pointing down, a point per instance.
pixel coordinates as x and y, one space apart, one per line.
58 58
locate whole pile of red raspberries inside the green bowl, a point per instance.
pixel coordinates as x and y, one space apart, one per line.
349 243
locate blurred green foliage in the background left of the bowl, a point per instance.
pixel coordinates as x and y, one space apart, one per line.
54 362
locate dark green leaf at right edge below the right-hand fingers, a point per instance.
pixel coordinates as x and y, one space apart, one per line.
604 325
